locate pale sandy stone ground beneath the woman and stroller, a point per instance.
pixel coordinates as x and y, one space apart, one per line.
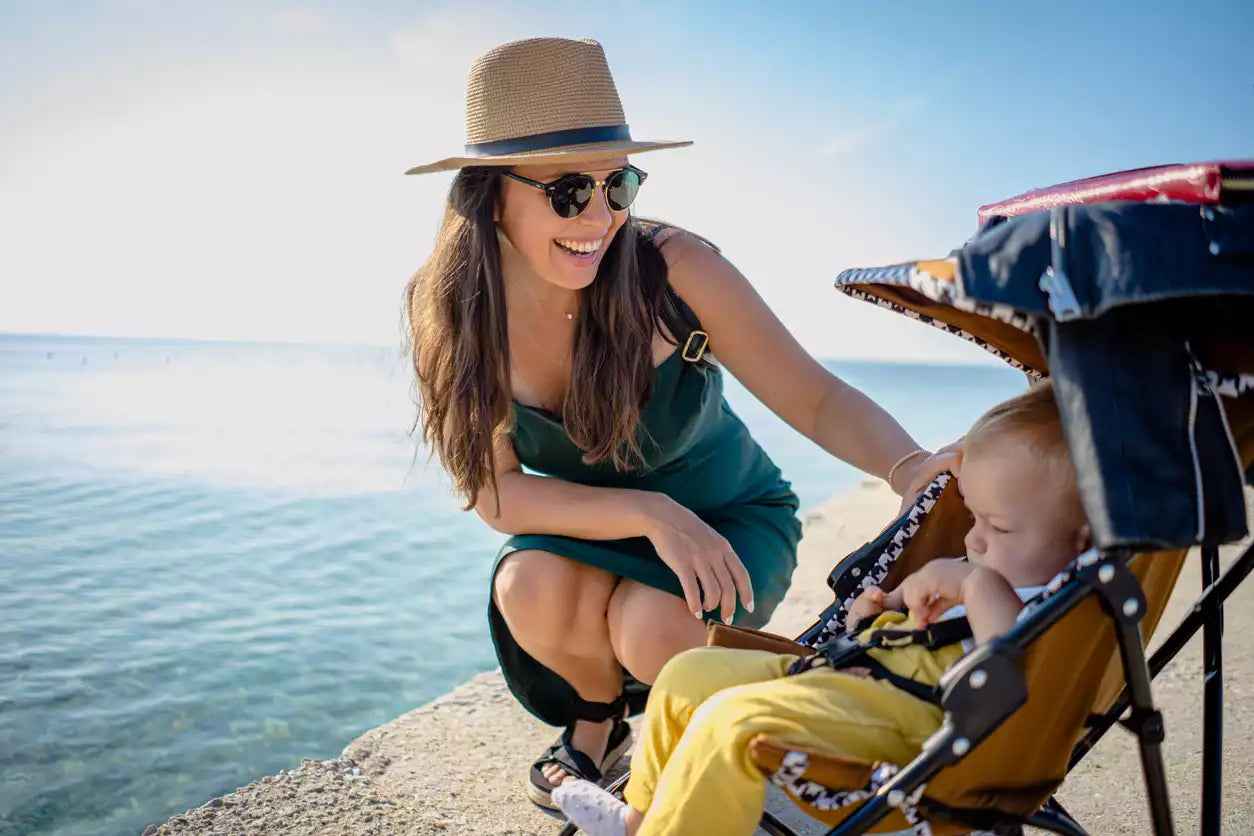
458 764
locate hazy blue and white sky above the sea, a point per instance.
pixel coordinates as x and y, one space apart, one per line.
234 170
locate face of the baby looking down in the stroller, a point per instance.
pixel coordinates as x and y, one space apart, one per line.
1026 526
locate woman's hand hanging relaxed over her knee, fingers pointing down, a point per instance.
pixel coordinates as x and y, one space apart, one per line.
705 563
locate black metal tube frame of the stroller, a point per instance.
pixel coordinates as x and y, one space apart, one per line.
971 716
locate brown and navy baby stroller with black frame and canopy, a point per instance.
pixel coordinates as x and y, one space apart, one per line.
1135 294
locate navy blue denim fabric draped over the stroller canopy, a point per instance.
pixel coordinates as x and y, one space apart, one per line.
1128 296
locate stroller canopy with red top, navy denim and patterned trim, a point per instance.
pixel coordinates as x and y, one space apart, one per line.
1142 313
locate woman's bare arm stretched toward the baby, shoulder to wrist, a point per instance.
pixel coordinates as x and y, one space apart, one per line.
756 347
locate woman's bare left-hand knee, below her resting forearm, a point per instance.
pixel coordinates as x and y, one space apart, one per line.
552 600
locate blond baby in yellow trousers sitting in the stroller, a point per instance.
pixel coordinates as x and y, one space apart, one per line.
692 773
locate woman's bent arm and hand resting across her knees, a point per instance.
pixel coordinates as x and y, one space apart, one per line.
709 571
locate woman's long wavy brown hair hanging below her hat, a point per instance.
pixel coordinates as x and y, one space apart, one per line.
458 335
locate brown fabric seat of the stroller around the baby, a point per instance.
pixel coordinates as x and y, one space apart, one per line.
1072 674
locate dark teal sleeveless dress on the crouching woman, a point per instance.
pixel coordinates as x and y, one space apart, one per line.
699 454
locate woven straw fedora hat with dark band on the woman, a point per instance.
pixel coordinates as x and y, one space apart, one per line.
541 101
